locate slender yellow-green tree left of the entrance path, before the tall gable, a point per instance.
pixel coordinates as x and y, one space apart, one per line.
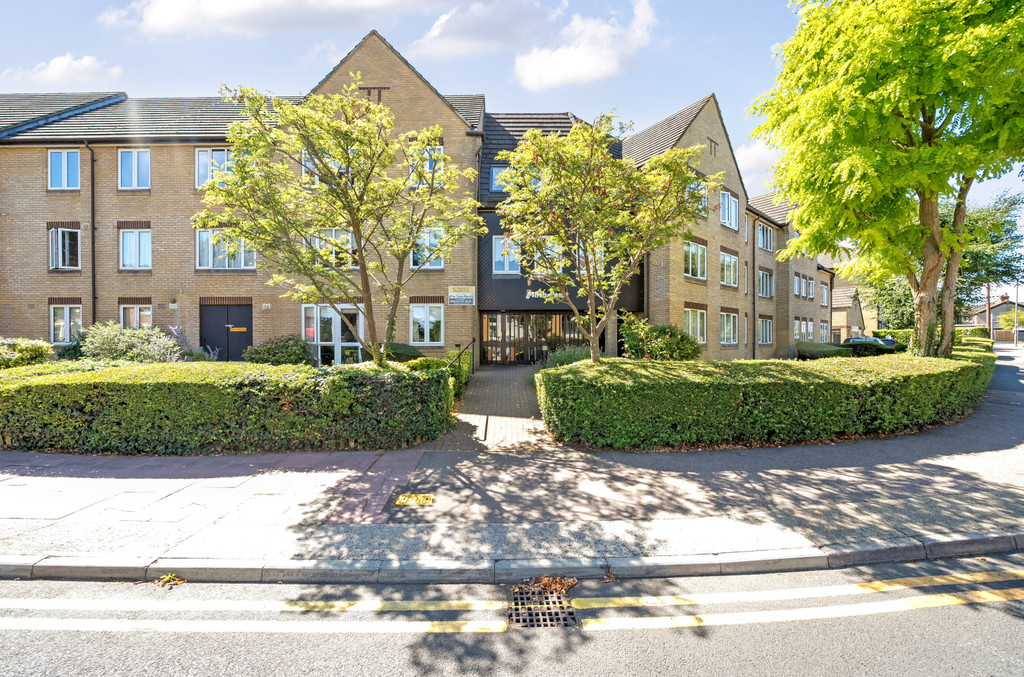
337 204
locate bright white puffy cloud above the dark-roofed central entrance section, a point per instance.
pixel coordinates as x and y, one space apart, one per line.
587 51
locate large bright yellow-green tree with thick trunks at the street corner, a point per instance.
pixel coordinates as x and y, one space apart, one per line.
883 108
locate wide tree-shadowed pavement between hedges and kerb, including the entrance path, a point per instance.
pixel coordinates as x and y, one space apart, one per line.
509 503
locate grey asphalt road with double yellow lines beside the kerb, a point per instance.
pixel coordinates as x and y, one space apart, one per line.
936 618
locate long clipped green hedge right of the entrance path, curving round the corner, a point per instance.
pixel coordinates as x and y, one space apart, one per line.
648 404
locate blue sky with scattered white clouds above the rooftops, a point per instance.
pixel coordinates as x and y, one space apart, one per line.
646 59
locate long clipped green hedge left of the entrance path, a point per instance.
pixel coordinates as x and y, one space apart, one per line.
185 408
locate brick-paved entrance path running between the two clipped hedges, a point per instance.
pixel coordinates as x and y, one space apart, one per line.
499 412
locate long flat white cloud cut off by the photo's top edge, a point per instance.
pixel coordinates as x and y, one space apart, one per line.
251 18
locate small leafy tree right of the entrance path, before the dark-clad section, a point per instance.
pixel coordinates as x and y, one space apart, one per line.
583 221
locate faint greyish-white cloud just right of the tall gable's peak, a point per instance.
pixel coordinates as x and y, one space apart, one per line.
483 28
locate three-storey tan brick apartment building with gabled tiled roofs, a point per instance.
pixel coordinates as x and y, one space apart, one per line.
98 192
